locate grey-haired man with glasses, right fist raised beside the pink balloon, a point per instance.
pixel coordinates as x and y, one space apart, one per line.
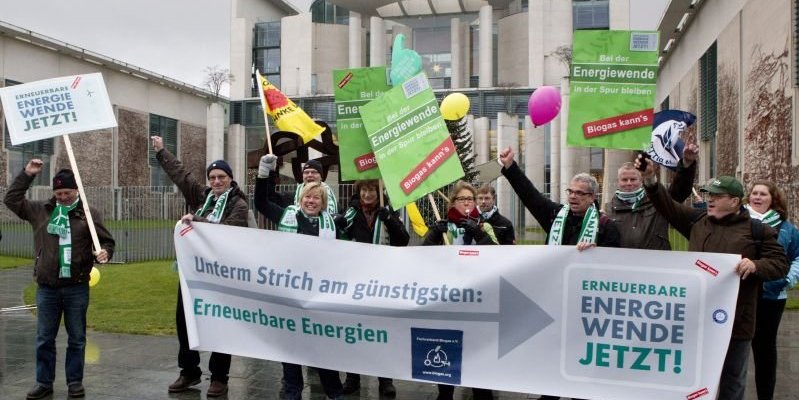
578 222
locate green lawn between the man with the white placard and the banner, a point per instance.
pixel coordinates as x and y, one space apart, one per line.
131 298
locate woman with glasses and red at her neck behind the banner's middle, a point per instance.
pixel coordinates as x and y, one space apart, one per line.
462 227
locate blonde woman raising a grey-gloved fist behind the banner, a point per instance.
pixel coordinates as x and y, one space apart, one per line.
310 217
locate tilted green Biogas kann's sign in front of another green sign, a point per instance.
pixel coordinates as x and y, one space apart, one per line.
412 146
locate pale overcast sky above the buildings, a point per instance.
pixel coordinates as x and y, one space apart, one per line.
176 38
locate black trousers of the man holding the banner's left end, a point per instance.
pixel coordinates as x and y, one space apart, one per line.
189 360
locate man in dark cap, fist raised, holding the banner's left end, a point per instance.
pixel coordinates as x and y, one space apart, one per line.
221 203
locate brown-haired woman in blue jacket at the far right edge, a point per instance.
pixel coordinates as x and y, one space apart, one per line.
766 203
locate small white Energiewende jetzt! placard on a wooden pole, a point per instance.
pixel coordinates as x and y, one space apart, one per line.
58 106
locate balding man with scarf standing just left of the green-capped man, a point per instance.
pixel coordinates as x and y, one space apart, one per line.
641 226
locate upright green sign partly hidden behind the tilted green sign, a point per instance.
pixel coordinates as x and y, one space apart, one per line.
353 88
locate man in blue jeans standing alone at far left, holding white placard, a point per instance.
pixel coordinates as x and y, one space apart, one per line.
64 258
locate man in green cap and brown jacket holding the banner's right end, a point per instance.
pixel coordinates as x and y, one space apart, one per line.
725 227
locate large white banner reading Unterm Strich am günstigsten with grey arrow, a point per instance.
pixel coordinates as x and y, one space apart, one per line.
601 324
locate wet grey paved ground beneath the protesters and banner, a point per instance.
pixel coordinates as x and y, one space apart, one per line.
141 367
